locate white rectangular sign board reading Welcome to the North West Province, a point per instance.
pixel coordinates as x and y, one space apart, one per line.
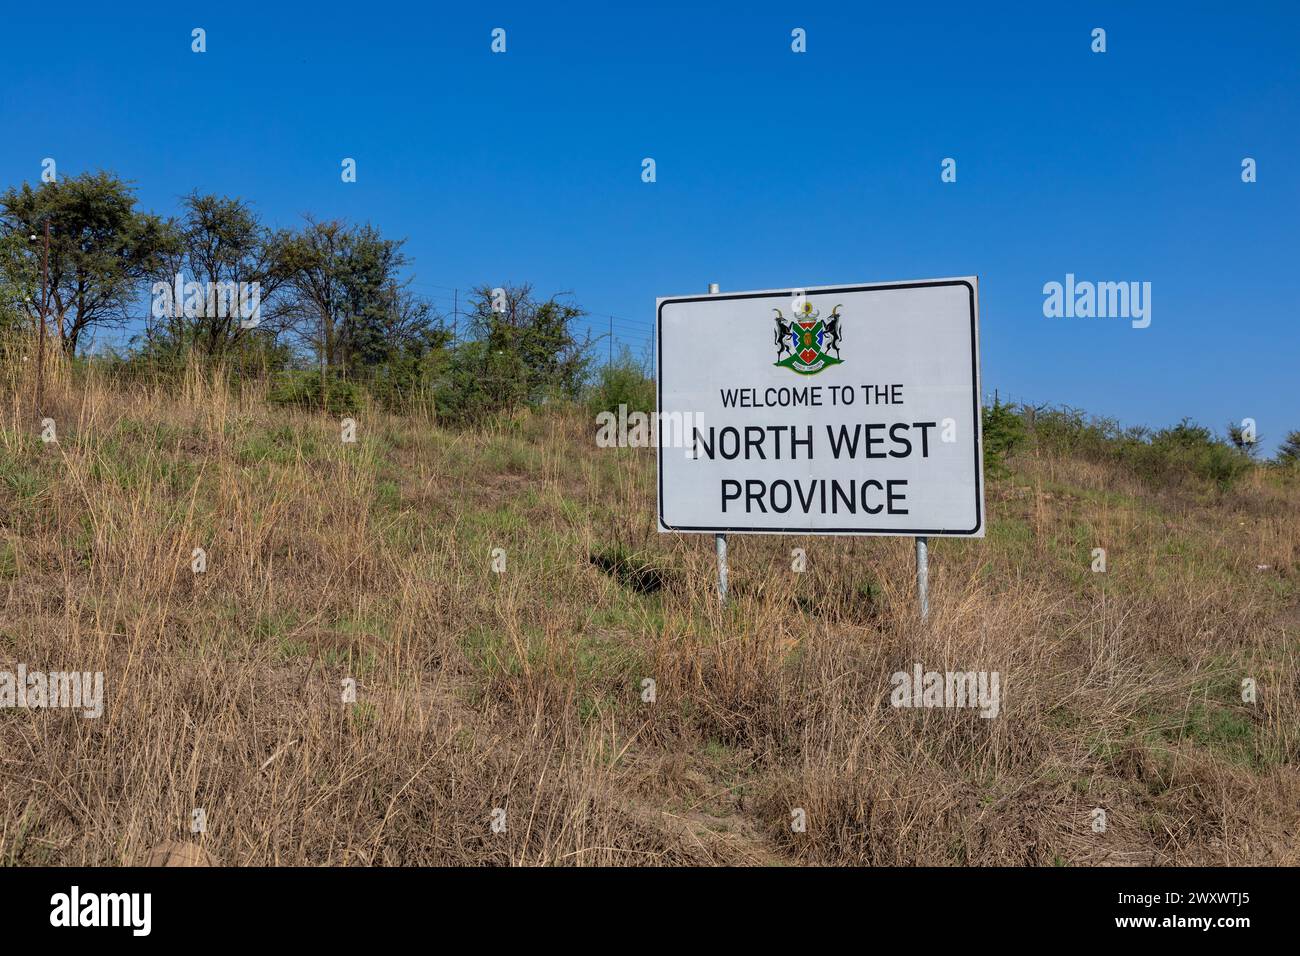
846 410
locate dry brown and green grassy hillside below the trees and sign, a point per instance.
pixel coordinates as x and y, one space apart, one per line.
523 690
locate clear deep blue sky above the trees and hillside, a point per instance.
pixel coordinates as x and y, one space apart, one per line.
773 168
